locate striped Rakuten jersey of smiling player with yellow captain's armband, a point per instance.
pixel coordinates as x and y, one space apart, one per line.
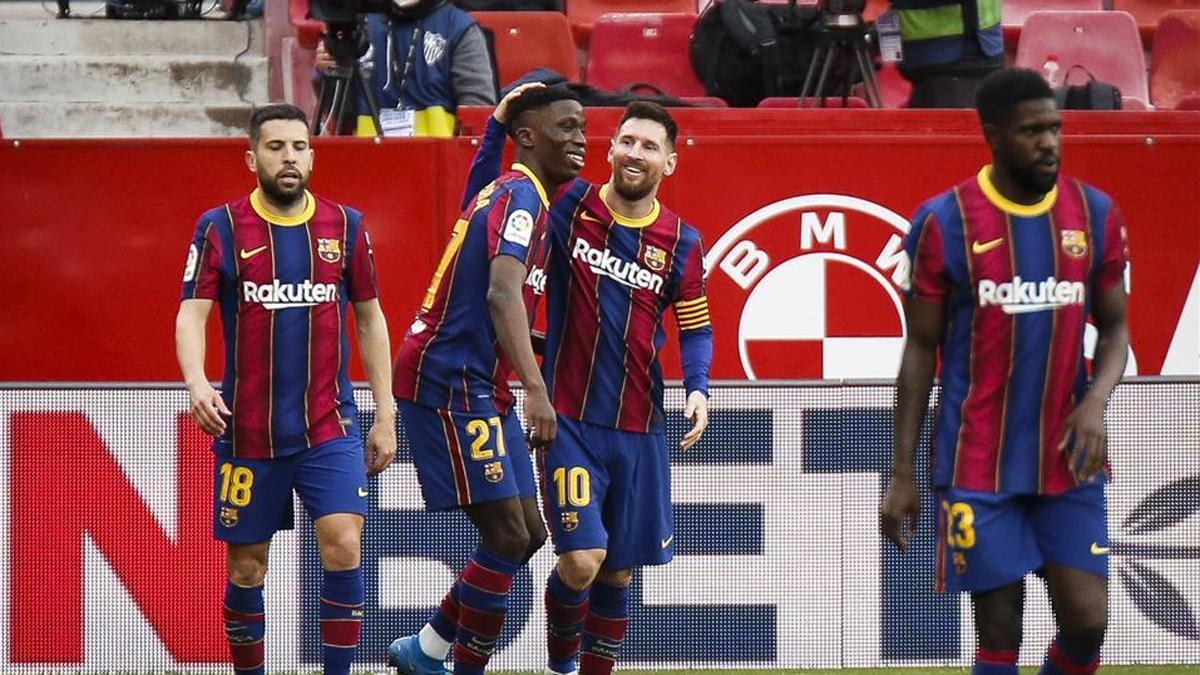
610 283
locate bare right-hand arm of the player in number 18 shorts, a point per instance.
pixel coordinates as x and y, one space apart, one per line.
376 351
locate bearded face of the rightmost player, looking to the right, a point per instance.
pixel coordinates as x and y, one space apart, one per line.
1027 147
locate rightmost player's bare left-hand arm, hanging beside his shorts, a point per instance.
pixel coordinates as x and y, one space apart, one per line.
902 504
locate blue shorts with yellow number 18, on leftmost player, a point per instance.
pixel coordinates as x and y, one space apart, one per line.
253 498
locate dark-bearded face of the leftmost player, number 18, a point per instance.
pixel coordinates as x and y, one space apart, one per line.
283 160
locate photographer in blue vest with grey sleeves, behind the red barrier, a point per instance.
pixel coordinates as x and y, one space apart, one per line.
425 59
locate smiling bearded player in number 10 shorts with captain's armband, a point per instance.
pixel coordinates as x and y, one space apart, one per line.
619 260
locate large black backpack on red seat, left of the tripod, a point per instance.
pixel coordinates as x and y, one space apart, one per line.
745 51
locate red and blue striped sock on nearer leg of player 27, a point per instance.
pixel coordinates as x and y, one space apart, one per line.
483 600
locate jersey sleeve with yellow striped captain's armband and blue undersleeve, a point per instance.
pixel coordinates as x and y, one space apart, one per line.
695 327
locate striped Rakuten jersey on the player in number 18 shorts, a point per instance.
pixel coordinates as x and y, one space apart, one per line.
284 286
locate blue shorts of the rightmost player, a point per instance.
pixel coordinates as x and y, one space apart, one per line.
988 541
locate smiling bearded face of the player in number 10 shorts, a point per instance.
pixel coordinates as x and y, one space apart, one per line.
641 156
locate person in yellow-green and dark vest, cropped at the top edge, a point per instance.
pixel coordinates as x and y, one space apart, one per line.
950 46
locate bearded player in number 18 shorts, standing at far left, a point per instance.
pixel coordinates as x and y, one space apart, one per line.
284 266
